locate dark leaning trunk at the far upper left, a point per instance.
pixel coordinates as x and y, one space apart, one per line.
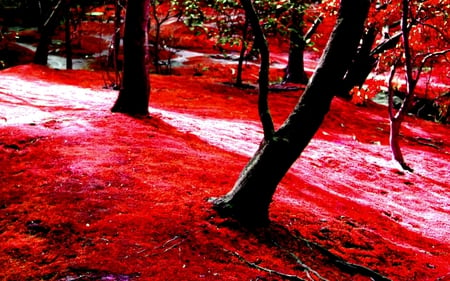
46 31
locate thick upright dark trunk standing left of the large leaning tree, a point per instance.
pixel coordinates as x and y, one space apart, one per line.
134 94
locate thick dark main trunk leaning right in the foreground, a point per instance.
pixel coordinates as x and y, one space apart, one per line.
252 194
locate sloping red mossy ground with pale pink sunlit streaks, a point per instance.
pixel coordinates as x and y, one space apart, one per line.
90 195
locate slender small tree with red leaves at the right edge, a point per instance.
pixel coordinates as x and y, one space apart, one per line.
414 62
